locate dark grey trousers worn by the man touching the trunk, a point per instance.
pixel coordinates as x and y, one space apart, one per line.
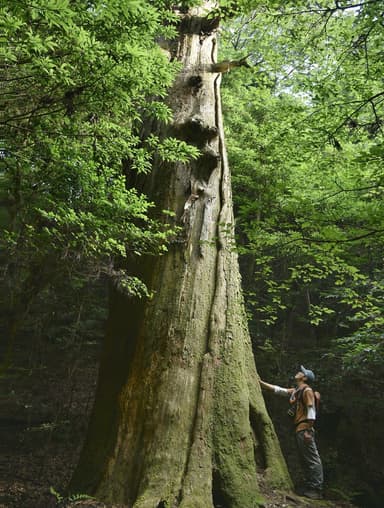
310 460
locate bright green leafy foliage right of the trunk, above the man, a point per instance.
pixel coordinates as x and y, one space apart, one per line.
305 145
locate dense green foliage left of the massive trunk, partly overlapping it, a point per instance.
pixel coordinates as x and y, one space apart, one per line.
79 79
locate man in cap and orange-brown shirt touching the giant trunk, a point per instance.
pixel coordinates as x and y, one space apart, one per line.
303 409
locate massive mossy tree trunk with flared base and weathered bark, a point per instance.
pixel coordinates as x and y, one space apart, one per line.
179 419
